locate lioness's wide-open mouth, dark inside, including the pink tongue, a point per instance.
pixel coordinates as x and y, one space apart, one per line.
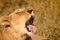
30 26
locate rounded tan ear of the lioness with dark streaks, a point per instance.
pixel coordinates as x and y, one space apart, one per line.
5 21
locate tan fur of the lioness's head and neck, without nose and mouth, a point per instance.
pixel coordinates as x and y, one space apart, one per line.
16 25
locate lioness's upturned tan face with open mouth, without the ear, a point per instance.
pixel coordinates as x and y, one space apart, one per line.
22 20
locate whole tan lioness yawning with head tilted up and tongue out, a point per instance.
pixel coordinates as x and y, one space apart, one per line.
17 25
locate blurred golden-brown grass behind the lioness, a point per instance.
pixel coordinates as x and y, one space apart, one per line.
47 15
